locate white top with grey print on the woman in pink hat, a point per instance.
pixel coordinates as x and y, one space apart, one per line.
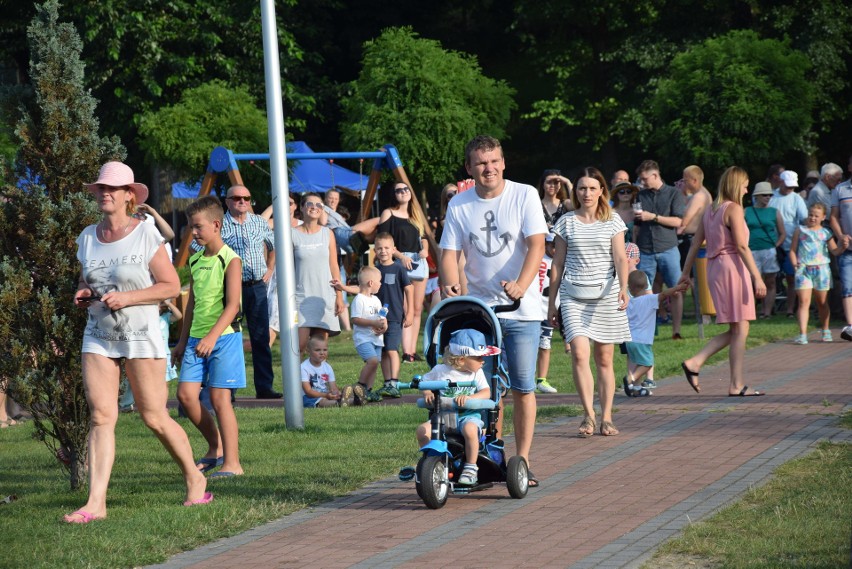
133 331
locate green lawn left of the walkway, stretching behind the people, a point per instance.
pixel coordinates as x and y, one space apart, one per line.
338 451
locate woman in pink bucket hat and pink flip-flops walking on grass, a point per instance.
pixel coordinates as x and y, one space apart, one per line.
119 256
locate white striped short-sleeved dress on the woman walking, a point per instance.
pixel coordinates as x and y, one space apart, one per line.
589 258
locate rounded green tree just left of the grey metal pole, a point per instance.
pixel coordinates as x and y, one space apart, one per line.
213 114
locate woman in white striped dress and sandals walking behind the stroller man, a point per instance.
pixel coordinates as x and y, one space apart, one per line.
590 249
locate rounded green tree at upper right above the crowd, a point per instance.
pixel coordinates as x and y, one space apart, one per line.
734 99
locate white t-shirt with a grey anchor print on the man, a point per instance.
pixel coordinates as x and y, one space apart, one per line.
492 233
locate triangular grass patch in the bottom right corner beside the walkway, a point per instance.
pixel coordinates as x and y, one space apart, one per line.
800 518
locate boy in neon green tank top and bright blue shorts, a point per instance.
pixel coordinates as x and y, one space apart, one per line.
210 348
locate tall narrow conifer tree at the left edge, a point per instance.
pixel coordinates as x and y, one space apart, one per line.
44 206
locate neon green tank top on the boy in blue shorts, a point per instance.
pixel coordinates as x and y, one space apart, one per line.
208 288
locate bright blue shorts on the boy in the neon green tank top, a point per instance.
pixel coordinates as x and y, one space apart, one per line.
225 368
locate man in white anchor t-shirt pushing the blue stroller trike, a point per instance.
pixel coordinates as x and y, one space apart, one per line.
500 228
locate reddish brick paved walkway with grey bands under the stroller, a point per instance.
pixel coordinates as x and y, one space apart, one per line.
603 501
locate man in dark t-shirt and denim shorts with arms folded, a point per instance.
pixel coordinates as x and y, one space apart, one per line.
656 233
